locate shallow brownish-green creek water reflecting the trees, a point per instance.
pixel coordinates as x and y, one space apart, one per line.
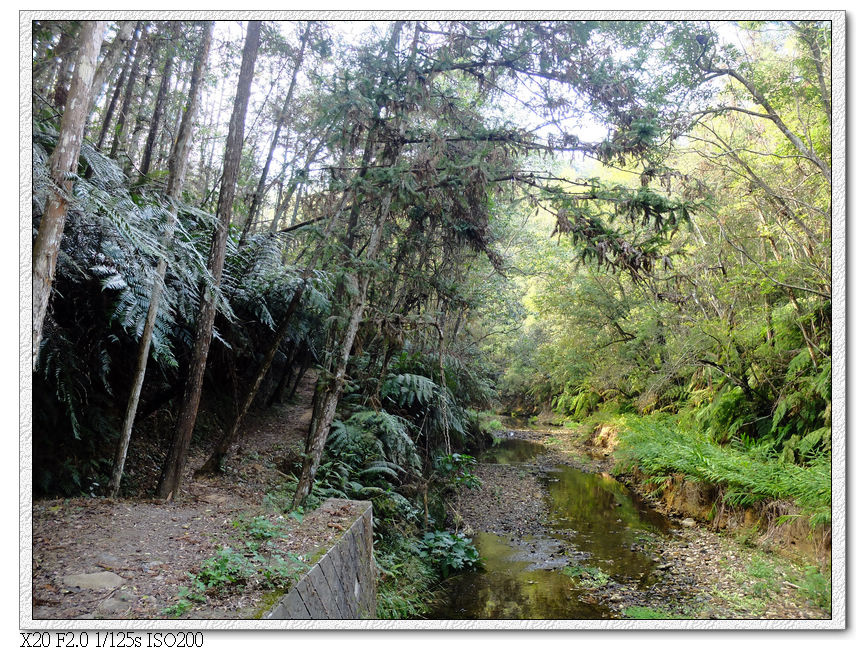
594 521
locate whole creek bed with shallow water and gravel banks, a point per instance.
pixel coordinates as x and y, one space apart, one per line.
652 564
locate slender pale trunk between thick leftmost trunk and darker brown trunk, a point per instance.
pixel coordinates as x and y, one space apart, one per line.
177 166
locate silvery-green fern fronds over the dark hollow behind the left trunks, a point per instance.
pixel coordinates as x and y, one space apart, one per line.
104 280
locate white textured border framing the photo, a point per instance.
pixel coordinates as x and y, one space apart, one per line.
839 312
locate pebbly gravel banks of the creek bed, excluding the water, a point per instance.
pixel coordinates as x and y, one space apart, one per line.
699 573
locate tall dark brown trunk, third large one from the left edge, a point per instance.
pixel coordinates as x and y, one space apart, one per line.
172 474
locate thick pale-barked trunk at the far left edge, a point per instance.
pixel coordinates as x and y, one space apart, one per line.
62 165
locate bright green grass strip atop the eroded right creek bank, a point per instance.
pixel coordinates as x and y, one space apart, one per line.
749 475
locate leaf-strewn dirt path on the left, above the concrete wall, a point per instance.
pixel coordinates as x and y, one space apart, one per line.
139 552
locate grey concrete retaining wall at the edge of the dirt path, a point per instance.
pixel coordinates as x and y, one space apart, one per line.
341 585
